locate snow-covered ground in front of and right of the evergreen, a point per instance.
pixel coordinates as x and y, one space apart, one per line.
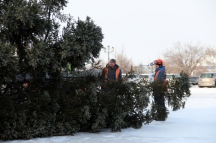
194 124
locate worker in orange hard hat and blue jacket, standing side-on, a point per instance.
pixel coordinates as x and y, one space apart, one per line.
160 83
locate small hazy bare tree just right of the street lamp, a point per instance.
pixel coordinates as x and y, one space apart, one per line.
123 61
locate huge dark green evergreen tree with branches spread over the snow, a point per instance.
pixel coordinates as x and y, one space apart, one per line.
37 101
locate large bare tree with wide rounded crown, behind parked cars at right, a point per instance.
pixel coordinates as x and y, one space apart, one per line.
186 58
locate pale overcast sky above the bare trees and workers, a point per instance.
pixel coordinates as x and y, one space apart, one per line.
145 29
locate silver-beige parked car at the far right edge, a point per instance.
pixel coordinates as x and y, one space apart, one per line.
207 79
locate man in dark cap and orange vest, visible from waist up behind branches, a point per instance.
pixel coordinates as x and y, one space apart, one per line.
112 71
